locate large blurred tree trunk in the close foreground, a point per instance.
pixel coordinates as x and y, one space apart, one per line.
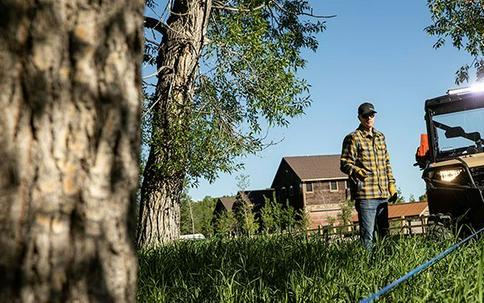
69 120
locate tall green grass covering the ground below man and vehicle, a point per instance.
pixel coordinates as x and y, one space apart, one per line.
288 268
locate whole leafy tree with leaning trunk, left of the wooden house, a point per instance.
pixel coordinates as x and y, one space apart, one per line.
226 70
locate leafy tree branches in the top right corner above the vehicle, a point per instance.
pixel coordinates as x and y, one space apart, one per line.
461 21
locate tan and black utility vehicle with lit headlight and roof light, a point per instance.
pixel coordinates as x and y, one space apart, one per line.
451 155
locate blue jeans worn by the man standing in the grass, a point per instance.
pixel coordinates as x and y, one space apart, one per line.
372 217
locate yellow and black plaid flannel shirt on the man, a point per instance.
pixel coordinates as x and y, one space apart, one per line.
368 151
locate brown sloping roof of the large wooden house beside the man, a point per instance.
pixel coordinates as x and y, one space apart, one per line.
316 167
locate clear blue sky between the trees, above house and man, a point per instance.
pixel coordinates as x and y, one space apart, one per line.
375 51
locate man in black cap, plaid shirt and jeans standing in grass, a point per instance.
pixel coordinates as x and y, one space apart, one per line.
366 161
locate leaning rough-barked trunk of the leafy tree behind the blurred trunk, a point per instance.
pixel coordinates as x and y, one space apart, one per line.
165 172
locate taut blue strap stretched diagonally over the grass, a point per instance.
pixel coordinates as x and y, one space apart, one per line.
418 269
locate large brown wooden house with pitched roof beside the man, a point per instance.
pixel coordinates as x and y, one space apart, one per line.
312 183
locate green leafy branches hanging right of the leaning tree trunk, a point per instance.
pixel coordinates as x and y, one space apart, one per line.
247 78
